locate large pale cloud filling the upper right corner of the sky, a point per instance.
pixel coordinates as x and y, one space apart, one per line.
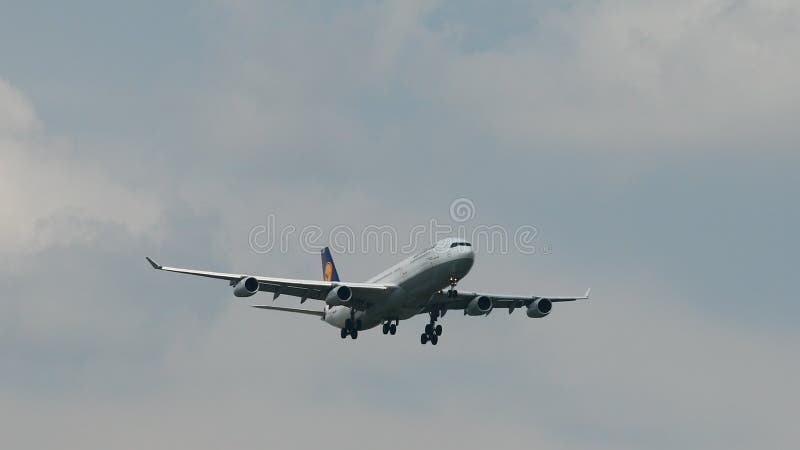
623 75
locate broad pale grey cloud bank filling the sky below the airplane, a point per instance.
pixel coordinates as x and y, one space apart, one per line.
624 370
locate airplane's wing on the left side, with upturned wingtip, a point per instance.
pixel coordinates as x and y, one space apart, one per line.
363 293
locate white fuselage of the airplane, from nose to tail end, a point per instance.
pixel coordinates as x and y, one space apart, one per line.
417 277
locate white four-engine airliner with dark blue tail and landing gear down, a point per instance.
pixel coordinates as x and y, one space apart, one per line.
413 286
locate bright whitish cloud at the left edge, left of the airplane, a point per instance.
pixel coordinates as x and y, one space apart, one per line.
49 196
